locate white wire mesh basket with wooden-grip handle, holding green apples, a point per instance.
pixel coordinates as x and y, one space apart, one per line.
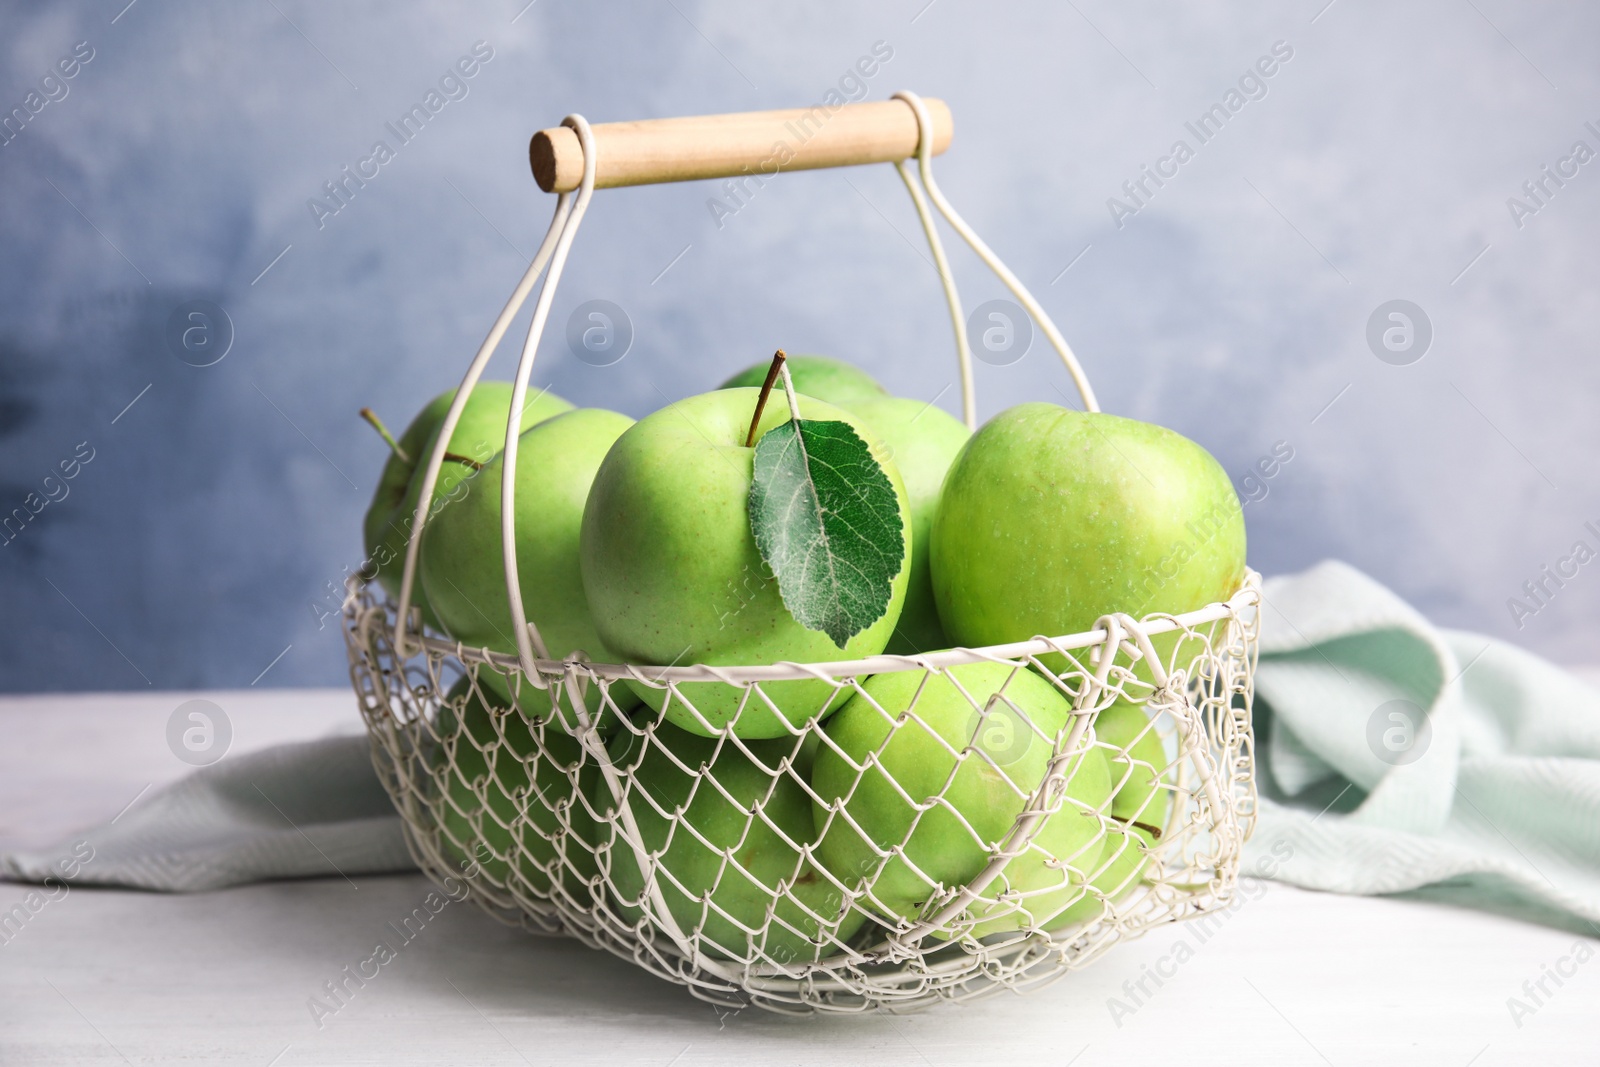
943 826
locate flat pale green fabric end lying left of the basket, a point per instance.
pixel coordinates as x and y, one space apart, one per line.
292 812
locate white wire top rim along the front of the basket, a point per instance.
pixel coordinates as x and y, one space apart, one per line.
1246 597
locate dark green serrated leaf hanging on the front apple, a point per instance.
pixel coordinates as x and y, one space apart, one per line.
828 522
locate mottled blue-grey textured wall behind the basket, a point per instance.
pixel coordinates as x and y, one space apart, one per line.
201 540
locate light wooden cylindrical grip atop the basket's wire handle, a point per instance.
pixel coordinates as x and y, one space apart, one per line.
729 146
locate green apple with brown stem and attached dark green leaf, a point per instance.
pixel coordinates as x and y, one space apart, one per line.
722 530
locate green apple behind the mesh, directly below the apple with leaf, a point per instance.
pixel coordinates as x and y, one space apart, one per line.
729 829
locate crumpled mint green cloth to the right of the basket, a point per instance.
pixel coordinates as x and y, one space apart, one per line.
1500 796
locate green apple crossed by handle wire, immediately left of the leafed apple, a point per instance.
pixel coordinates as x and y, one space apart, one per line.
463 565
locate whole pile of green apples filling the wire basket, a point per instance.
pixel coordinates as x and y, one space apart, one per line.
780 820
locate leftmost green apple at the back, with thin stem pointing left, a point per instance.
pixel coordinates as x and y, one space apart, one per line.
481 434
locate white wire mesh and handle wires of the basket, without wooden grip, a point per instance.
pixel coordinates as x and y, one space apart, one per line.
553 879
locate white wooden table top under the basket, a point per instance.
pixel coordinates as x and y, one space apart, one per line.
106 977
